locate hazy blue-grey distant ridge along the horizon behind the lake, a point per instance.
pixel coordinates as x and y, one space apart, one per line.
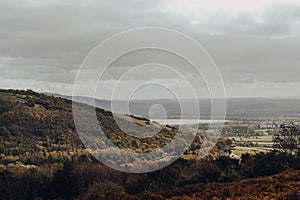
236 107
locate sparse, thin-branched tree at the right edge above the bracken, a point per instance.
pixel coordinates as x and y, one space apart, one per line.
287 140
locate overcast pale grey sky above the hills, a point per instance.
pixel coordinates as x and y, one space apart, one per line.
255 44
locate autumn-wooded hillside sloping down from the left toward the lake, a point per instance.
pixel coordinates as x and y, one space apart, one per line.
32 123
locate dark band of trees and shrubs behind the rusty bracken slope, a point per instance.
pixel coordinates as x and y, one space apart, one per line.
86 178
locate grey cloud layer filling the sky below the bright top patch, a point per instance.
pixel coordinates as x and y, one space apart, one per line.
45 42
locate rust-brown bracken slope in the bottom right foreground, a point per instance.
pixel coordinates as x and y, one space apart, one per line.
281 186
